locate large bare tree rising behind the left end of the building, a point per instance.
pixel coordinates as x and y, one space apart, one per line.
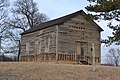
24 15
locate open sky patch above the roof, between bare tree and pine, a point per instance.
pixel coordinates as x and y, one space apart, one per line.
57 8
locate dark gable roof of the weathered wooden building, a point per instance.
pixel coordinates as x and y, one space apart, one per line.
57 22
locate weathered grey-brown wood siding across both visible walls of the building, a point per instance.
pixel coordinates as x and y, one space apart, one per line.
74 36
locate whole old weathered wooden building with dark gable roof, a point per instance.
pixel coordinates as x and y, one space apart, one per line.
68 38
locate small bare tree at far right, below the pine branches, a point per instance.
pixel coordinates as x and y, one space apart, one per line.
113 58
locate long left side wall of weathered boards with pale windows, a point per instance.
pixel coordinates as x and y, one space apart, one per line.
39 42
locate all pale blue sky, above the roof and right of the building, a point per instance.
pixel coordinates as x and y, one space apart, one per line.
59 8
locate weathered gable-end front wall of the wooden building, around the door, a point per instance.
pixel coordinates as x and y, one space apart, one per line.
79 30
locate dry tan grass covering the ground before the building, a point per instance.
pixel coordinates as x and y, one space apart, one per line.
51 71
